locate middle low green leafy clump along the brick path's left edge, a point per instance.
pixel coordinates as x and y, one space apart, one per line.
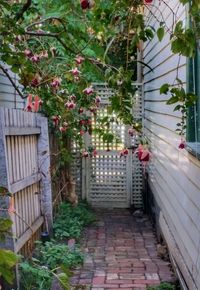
53 255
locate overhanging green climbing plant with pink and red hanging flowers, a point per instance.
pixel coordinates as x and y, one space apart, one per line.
59 48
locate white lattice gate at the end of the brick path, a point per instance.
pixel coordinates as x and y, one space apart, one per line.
109 180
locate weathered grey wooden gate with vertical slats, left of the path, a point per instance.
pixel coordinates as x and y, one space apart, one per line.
25 173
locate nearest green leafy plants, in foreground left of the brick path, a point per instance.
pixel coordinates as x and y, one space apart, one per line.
51 260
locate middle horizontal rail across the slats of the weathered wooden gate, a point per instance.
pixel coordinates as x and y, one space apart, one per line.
23 183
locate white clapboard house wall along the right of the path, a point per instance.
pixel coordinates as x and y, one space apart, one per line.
174 174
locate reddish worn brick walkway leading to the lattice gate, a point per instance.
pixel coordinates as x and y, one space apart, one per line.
120 254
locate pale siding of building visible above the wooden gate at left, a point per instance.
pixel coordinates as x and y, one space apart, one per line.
8 96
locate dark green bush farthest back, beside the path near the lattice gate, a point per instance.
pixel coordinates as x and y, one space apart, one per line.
70 221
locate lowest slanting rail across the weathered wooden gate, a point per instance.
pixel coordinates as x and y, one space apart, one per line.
28 234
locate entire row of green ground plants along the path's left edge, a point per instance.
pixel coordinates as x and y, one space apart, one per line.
56 259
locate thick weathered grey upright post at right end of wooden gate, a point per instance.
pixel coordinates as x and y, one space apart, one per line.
44 168
